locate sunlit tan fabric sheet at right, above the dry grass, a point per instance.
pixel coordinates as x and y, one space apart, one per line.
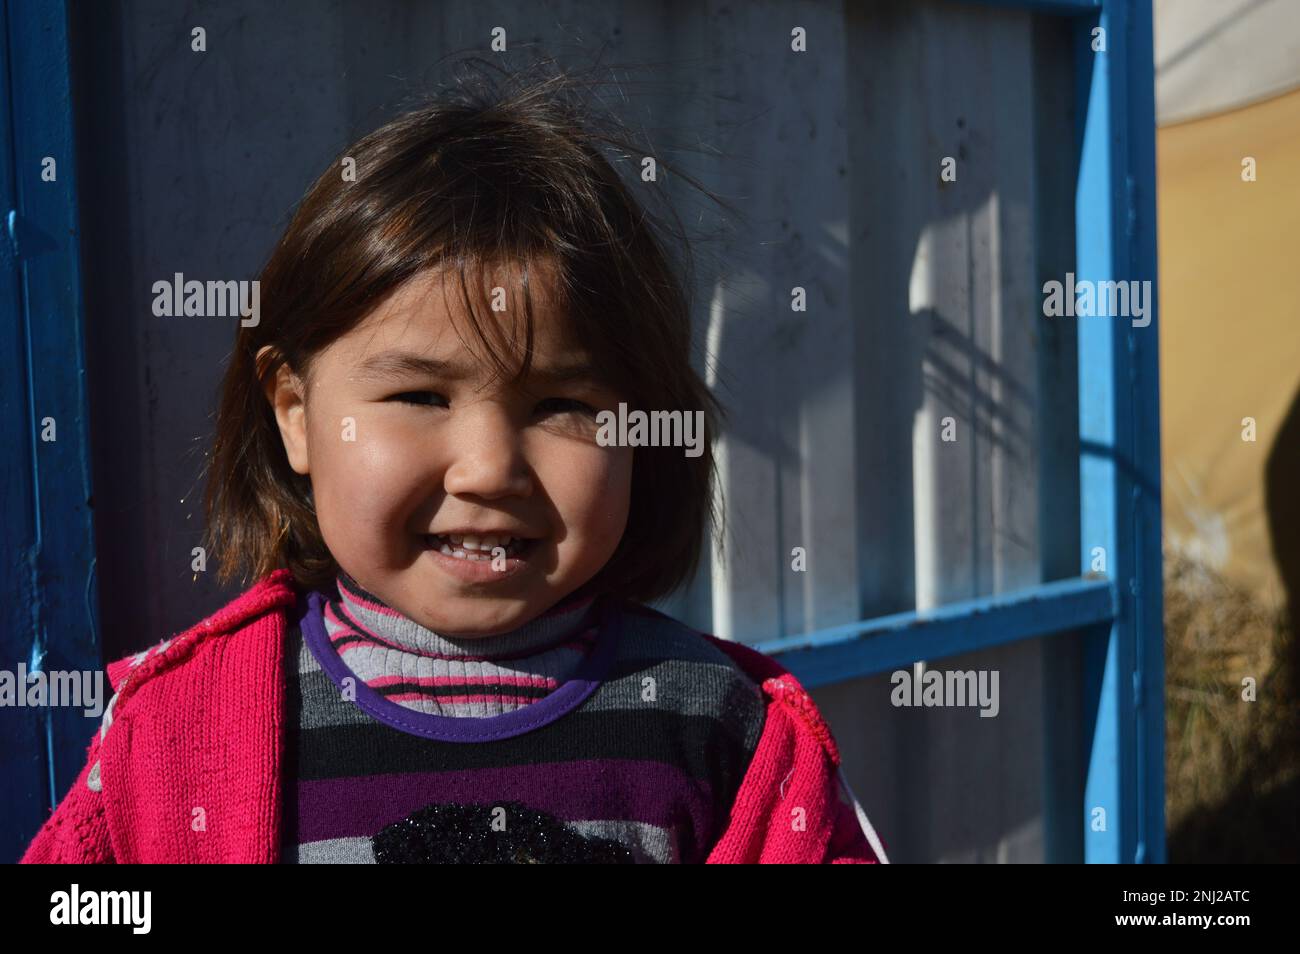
1230 329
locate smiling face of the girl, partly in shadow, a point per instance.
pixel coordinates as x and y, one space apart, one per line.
414 450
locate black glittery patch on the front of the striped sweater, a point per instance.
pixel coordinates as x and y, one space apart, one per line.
452 834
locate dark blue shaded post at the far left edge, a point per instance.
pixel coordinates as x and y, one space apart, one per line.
50 617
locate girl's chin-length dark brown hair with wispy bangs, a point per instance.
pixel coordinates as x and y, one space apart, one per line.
488 174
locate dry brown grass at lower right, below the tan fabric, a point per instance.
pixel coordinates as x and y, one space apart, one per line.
1233 767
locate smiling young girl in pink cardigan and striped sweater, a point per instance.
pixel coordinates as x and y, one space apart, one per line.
447 656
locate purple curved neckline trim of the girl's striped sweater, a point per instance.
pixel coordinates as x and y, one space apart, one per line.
586 680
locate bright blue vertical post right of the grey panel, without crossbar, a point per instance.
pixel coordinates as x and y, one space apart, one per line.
1120 439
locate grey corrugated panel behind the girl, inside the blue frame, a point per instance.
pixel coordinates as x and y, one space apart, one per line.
922 298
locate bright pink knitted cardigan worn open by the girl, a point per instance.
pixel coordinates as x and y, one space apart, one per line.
187 766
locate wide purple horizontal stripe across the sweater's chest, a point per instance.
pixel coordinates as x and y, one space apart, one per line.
605 790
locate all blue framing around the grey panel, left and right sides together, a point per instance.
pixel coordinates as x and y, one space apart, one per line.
47 500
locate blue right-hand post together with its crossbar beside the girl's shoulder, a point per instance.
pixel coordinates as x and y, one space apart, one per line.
1124 680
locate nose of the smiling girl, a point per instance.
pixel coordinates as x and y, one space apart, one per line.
487 459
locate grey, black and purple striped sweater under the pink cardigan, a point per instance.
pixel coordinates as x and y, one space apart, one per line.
636 757
